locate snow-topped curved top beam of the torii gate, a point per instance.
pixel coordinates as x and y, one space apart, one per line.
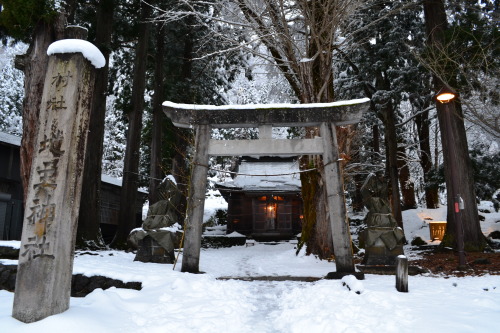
281 115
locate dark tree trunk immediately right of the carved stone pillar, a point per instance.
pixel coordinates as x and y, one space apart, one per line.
89 232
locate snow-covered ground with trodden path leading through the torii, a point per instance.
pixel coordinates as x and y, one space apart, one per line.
171 301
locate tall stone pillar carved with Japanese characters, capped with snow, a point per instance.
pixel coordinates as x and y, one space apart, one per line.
43 284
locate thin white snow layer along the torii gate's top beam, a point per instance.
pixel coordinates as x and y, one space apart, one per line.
263 106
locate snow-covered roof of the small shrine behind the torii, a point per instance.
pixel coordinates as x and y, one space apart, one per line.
279 176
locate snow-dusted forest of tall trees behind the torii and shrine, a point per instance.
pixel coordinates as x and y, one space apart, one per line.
258 51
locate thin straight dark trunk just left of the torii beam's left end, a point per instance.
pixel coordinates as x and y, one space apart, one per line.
155 173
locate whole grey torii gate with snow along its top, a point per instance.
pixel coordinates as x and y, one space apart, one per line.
325 115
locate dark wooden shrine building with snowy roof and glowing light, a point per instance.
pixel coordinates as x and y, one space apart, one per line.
265 212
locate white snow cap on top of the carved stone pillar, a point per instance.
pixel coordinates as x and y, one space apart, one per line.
87 49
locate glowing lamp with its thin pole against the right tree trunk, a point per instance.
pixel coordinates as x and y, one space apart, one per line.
445 96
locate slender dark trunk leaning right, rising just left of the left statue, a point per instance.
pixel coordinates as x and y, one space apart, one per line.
127 219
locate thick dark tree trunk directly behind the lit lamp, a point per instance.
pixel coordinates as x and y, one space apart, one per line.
458 171
